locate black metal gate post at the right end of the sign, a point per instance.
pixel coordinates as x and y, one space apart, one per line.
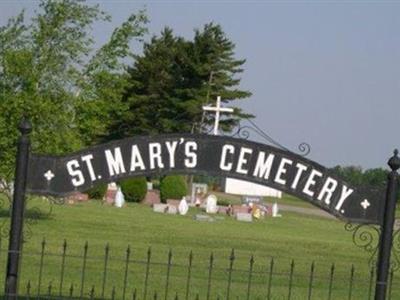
386 238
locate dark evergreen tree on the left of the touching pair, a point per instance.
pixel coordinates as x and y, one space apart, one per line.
151 99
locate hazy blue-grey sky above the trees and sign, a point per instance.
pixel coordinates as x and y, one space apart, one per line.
322 72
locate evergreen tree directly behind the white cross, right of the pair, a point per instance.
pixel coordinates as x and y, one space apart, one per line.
217 69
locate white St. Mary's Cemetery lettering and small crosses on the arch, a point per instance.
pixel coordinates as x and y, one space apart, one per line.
241 160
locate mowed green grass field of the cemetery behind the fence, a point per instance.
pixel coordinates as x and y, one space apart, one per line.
152 236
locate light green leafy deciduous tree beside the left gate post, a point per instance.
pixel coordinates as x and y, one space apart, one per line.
50 73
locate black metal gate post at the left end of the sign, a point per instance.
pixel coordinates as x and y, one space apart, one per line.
18 207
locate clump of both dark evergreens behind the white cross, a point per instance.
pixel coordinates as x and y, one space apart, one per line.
174 78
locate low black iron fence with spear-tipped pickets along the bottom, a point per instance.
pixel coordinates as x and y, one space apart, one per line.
65 273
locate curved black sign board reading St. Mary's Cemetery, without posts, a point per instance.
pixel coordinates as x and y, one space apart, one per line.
203 154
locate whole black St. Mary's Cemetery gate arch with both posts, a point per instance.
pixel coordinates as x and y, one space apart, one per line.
198 154
